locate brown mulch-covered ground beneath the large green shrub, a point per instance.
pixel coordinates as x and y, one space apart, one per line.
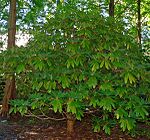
25 130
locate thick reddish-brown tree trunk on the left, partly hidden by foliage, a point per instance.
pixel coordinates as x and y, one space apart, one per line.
10 88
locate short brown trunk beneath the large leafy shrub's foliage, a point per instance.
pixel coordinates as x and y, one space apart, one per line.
70 126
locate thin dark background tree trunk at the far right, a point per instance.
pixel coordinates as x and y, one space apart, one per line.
139 21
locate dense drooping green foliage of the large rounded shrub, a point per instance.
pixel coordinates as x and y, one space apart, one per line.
80 60
